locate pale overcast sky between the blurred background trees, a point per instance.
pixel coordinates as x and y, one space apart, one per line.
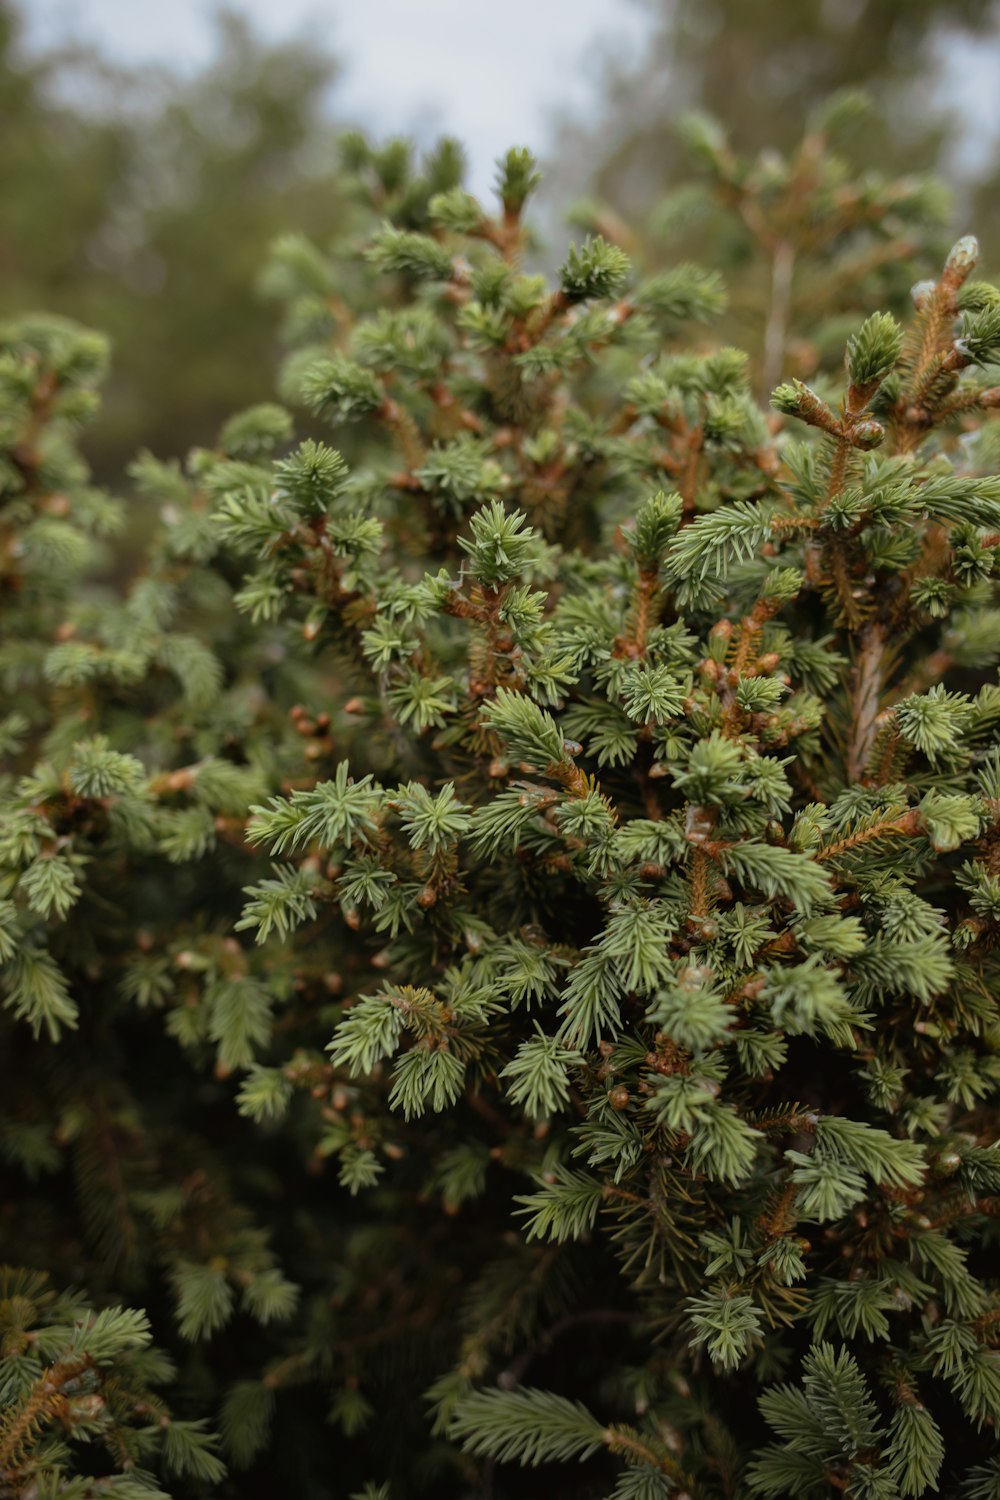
490 71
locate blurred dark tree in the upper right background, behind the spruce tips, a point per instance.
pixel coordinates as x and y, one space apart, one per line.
762 68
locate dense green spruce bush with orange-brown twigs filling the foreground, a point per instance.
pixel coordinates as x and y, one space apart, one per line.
500 917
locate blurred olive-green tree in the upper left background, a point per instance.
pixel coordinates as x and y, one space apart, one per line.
145 205
